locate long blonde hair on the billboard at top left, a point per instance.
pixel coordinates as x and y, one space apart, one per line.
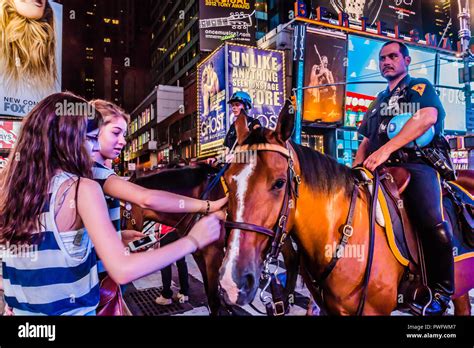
27 47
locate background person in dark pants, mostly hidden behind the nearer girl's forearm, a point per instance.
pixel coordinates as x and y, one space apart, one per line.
168 235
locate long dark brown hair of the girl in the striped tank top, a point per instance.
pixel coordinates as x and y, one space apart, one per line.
51 139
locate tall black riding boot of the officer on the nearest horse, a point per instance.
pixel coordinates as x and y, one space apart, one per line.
439 260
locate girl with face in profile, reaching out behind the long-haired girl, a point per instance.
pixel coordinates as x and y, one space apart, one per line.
106 136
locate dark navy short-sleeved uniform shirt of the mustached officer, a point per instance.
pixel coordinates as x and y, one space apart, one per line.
409 96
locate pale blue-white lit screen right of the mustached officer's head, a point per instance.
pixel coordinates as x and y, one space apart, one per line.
453 100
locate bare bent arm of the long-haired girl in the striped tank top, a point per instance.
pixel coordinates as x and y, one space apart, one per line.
123 266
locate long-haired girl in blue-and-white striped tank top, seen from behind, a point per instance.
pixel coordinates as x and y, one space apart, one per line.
53 220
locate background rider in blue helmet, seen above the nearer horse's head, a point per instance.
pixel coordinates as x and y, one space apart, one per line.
240 102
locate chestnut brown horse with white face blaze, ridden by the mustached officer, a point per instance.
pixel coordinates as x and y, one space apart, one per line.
316 214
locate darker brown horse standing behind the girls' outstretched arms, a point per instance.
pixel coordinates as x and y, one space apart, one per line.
192 182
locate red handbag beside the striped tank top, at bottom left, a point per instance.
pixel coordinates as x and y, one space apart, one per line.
111 300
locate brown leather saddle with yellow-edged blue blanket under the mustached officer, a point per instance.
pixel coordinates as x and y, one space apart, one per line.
458 200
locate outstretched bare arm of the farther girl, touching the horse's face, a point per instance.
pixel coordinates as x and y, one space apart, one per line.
162 201
